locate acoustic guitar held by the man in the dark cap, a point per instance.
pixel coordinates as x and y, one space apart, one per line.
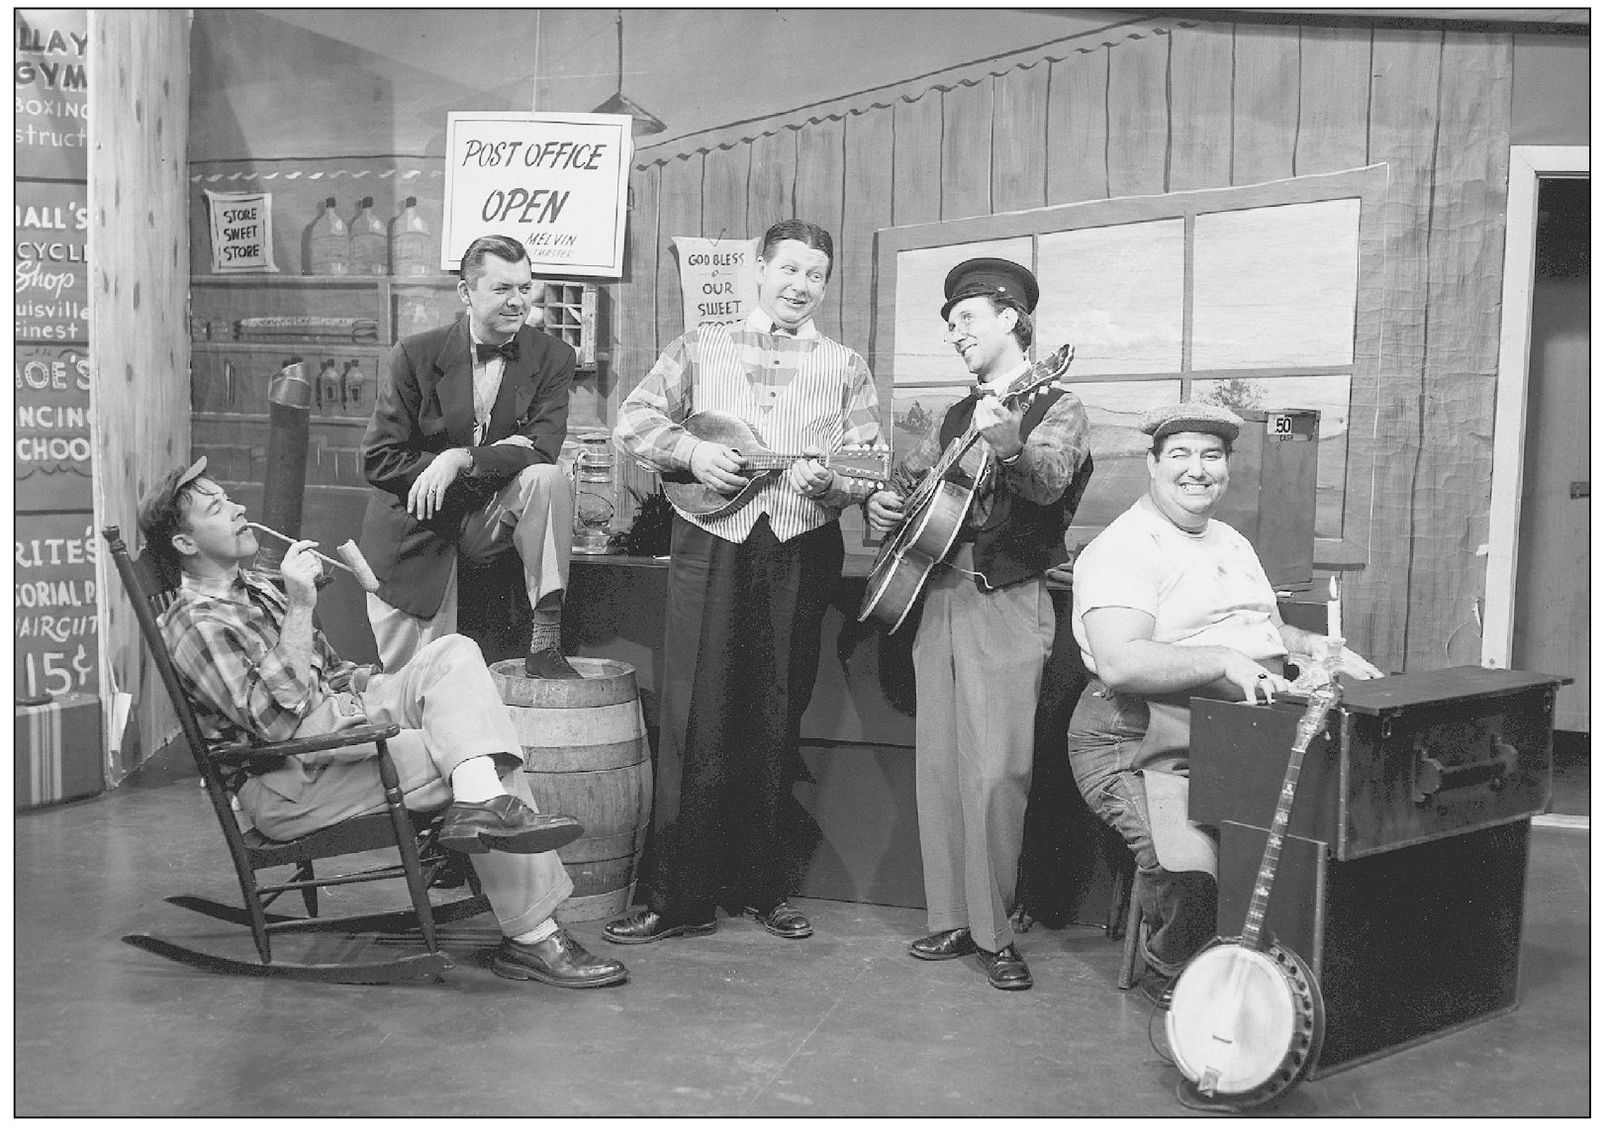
938 509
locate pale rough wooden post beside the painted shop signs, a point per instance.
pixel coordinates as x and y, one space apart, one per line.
141 280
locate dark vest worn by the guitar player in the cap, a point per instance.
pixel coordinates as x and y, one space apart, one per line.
1020 539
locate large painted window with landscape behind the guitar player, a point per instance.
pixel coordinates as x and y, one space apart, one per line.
1253 298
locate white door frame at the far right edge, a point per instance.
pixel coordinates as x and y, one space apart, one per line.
1529 165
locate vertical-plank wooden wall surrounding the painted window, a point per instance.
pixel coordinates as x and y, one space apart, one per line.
1159 107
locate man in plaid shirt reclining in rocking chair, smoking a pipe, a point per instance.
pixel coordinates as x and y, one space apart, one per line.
256 669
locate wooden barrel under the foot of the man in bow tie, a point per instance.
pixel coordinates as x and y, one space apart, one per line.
586 753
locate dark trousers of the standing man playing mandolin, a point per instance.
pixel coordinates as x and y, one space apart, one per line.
742 648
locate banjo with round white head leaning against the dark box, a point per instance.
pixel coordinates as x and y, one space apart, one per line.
1246 1015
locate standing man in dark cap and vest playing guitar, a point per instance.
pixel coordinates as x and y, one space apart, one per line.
988 624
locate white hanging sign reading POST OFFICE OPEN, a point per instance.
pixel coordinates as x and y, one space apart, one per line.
552 179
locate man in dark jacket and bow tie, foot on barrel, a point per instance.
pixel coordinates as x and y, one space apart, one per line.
462 451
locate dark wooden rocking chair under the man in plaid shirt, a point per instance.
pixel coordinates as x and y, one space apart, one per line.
412 835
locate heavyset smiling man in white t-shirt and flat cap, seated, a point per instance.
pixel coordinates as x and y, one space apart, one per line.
1171 603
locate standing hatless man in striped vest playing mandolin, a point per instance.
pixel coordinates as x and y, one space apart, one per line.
748 587
